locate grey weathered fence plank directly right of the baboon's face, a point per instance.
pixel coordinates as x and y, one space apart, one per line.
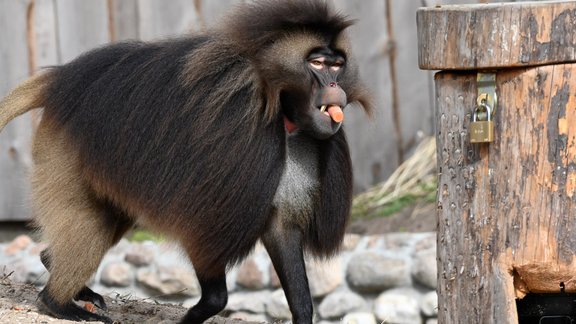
372 143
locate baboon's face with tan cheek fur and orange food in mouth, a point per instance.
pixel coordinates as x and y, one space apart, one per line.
313 76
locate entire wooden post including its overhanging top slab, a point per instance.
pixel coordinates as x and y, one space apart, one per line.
506 209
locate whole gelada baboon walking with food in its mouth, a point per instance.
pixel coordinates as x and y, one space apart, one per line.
217 140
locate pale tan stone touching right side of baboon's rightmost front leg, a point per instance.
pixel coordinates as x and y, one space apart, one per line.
324 276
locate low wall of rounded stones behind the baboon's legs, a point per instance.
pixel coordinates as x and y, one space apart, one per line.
387 278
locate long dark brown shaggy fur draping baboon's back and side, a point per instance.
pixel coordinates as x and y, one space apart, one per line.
180 149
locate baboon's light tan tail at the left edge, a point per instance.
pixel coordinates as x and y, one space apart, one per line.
25 97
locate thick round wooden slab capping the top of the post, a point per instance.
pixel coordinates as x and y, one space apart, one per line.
496 35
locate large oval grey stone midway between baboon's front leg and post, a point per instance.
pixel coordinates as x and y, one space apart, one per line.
370 272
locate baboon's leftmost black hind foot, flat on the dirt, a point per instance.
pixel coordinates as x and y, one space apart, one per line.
69 311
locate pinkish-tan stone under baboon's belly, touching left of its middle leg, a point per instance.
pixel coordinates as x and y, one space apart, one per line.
172 280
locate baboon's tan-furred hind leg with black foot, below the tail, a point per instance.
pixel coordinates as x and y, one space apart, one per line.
78 226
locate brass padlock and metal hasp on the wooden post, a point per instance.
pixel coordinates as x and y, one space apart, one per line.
482 124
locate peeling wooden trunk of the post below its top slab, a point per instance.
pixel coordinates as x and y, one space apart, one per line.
506 209
